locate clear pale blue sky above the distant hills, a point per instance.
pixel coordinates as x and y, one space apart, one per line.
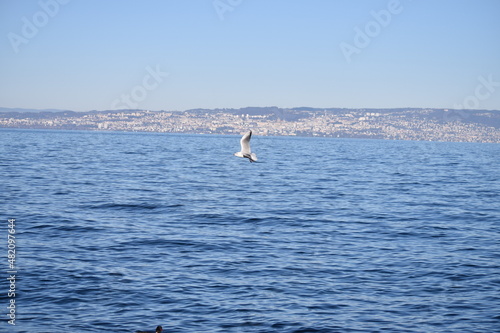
92 54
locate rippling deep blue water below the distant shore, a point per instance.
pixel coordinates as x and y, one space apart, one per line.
120 232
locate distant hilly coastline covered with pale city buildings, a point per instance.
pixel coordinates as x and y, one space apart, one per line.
391 124
